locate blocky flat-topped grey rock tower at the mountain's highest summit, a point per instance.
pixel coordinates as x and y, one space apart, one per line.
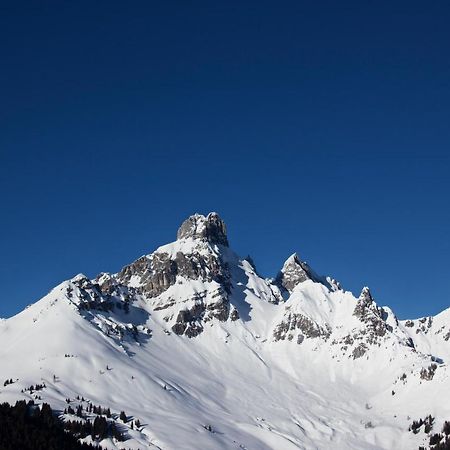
210 228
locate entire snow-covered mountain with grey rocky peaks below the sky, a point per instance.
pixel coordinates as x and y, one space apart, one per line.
200 351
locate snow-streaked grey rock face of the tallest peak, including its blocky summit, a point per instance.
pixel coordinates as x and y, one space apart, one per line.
195 256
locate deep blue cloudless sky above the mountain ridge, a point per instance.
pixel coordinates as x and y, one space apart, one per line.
316 127
